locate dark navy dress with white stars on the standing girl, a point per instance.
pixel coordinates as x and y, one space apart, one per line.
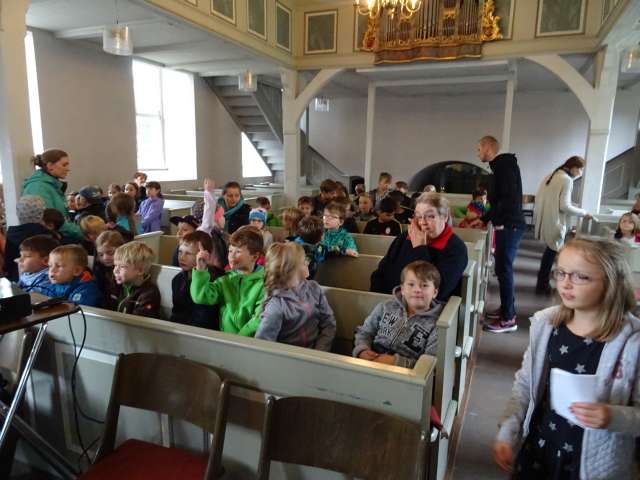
552 448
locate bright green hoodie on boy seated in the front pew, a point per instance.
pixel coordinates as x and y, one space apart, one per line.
240 296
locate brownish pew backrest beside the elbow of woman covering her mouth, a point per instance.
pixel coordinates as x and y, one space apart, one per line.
348 272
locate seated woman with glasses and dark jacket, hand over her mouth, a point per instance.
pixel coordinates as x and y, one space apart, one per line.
429 238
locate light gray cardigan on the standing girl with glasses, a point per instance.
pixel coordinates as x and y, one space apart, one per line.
606 453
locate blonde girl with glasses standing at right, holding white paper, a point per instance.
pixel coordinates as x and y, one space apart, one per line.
591 332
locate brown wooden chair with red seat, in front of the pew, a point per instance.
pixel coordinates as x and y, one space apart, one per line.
169 385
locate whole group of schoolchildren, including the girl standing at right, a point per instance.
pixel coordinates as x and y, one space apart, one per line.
230 282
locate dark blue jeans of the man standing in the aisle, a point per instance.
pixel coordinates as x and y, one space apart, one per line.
507 241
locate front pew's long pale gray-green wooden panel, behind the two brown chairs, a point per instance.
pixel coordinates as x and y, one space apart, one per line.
255 367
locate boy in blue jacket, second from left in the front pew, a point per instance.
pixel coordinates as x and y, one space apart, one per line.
70 276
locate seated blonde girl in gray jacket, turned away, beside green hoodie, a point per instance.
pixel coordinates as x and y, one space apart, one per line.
296 310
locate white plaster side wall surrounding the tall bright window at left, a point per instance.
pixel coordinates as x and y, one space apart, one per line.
87 108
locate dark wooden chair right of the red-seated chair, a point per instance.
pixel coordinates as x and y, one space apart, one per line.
343 438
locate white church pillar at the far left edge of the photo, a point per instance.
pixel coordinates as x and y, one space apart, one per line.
15 125
